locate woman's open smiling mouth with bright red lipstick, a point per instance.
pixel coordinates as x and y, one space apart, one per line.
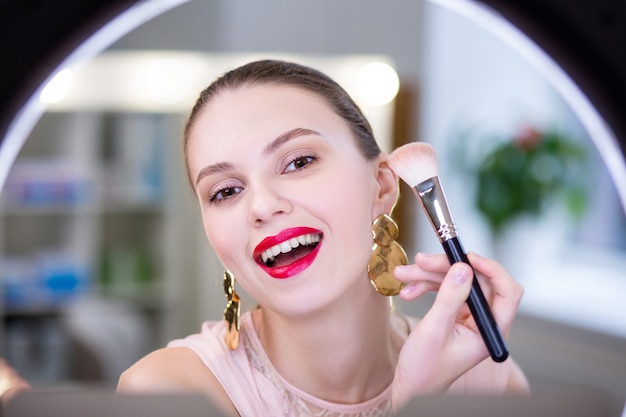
289 252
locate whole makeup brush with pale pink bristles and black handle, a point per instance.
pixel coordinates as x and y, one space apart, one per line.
416 164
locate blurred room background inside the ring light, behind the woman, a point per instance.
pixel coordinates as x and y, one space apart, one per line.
102 253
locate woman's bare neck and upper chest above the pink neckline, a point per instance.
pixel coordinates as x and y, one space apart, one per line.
346 353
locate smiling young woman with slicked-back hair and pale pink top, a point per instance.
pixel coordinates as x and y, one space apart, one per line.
292 188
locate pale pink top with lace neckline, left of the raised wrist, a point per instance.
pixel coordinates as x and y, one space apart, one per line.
253 384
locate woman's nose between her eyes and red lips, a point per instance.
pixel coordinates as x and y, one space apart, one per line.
265 202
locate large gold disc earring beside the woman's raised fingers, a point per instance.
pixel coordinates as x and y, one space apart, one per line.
386 255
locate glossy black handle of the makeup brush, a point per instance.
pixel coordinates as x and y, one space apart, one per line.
478 305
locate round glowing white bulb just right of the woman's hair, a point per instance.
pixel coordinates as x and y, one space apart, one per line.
377 83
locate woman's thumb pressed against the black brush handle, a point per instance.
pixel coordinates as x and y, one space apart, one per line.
452 295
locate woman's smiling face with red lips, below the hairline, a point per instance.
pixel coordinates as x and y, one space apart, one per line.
287 199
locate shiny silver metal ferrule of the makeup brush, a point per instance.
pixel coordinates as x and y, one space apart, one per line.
434 202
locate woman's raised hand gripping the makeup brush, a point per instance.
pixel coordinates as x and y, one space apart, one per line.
446 343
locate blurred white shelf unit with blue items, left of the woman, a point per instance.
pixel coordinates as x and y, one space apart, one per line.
113 238
